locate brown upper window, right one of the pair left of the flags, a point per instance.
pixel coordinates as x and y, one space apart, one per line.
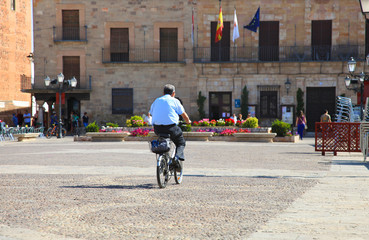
168 44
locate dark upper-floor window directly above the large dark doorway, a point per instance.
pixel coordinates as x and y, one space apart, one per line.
321 39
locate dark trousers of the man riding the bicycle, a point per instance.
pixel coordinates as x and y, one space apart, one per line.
176 136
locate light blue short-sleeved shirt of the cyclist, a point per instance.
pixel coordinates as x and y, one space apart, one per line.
165 110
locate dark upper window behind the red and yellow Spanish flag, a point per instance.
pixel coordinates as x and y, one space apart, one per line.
220 50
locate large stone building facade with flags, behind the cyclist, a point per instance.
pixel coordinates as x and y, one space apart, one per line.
125 51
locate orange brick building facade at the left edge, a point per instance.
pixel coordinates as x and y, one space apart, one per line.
15 46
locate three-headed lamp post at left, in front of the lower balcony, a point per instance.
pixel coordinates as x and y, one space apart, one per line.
62 86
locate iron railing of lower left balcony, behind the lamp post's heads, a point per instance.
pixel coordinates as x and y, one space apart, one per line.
38 83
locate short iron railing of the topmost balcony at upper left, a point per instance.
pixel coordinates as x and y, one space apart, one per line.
78 34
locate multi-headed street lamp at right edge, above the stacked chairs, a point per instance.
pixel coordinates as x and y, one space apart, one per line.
356 80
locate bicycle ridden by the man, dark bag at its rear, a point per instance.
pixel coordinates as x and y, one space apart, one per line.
165 166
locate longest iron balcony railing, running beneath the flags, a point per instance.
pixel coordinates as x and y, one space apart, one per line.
279 53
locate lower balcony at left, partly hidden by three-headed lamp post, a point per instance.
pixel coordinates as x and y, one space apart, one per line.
37 85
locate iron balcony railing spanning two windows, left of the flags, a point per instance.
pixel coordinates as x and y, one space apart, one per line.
143 55
